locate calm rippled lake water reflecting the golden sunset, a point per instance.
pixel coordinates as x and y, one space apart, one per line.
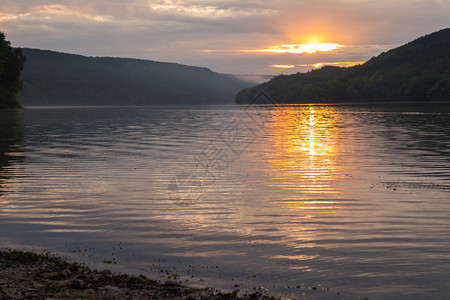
349 199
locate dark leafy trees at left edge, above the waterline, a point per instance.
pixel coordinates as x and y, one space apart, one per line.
11 64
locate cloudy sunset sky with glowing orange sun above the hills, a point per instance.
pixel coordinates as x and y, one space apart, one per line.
228 36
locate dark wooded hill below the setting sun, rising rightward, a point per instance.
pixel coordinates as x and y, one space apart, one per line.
417 71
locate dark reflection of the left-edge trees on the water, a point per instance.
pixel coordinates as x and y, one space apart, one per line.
11 144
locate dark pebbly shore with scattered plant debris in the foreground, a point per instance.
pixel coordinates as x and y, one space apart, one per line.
26 275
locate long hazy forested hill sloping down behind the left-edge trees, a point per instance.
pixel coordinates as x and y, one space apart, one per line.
53 78
